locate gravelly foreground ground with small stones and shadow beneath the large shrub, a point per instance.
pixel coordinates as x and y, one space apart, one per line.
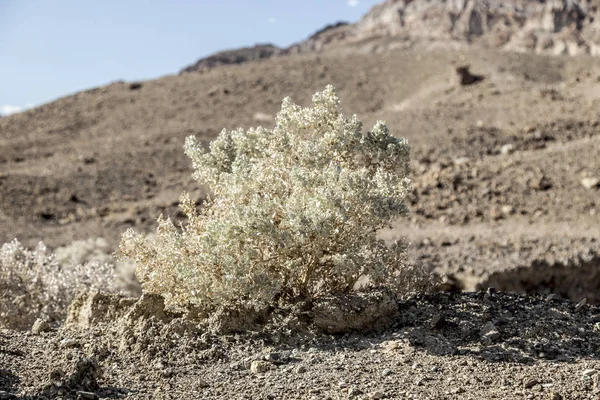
475 345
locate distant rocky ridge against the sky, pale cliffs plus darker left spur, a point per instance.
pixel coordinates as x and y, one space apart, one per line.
554 27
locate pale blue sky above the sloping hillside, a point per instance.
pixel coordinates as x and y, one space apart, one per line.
51 48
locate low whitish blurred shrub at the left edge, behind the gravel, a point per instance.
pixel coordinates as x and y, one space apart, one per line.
34 284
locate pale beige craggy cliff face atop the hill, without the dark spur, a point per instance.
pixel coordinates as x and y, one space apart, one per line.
555 27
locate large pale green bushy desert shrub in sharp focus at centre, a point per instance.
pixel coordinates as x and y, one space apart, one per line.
294 213
